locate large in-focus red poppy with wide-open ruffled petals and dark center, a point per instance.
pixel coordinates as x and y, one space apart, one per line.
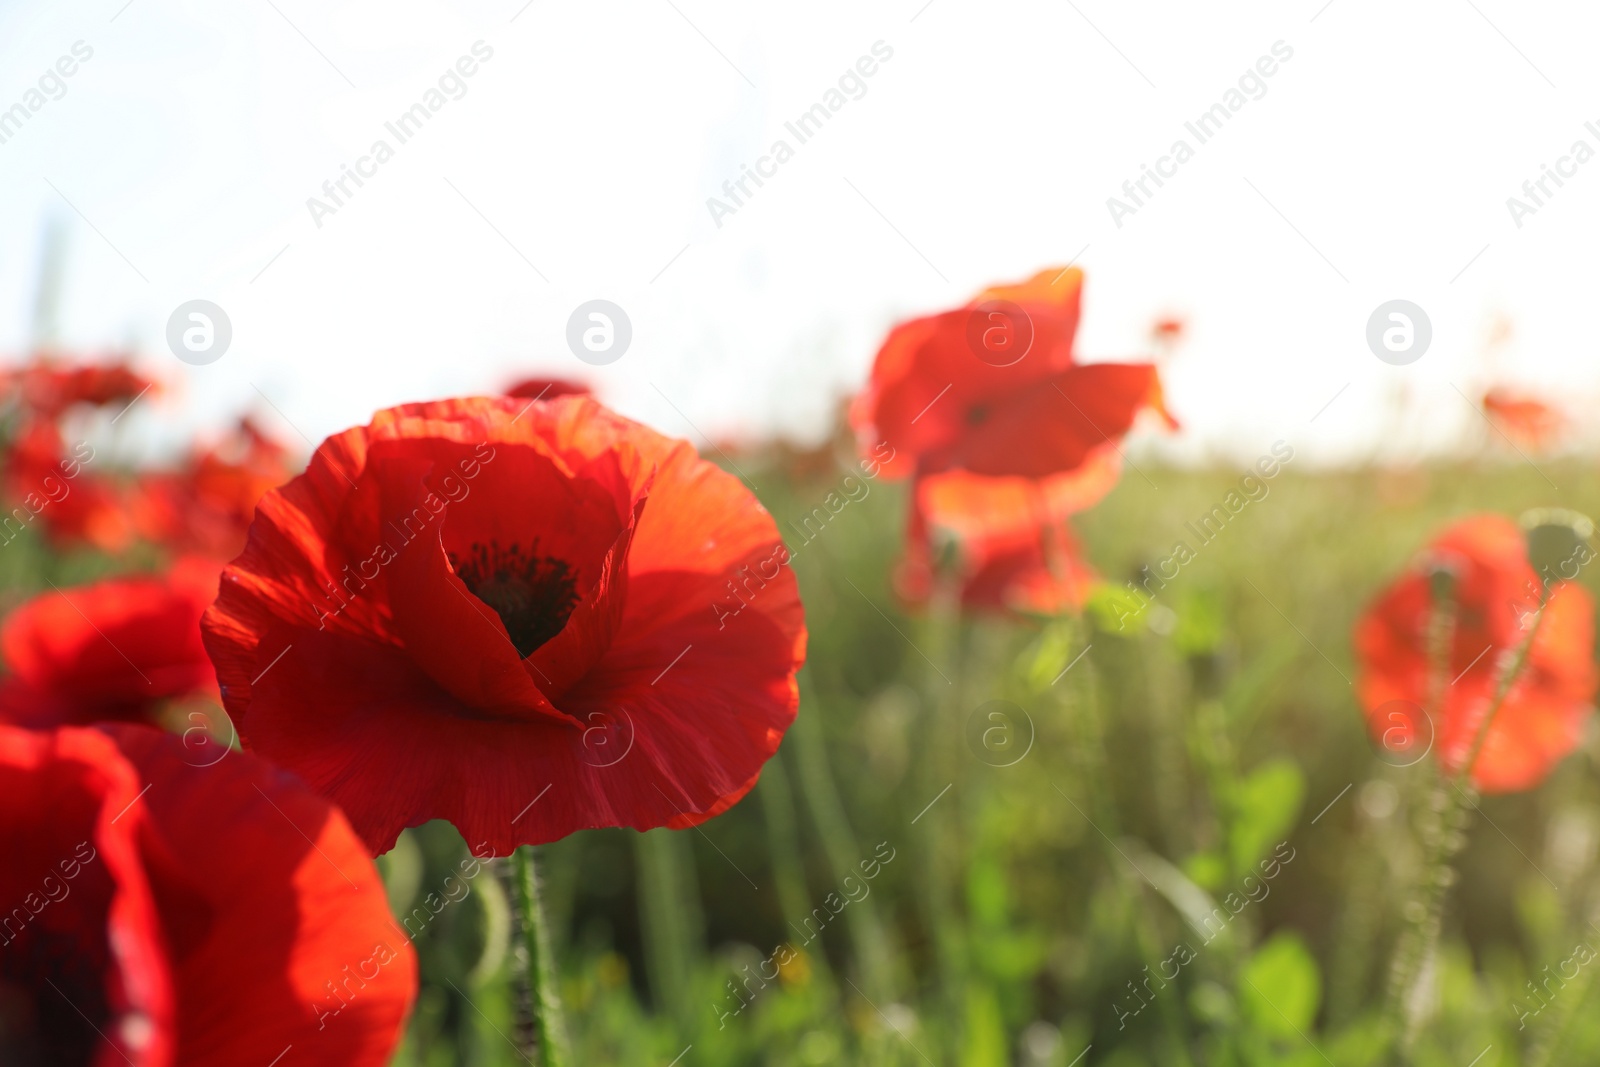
527 620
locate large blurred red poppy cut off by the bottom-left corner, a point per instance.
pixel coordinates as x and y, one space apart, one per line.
167 914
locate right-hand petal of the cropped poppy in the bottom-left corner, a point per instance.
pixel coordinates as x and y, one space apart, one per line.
337 975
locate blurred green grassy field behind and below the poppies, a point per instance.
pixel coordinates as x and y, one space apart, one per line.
1145 836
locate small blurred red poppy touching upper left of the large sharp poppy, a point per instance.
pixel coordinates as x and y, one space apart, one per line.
207 506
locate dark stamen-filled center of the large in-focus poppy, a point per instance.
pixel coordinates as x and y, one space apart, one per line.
532 594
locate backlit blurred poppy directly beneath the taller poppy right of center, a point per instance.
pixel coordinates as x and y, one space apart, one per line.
1014 546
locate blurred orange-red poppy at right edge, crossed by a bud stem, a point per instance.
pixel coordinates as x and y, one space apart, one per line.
1495 589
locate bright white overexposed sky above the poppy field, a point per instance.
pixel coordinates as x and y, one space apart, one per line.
1377 167
